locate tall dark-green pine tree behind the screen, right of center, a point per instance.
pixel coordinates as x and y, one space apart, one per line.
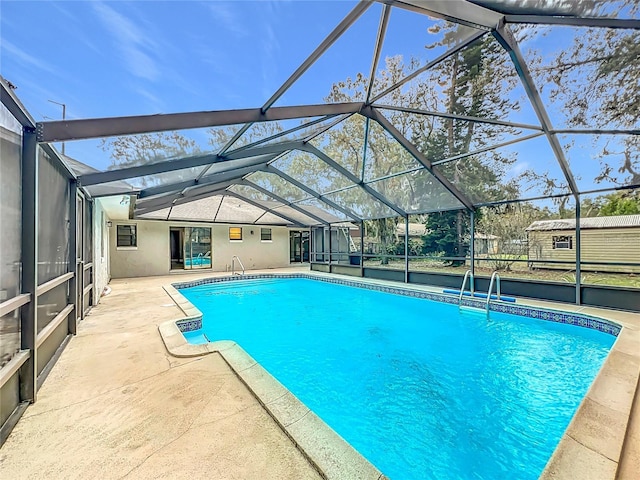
469 88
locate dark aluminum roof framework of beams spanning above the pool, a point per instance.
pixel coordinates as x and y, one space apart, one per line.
479 16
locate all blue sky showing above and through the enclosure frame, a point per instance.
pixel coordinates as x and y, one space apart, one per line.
121 58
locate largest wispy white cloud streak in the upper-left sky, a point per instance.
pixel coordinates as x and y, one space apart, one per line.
132 42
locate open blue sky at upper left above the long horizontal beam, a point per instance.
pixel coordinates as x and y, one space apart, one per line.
127 58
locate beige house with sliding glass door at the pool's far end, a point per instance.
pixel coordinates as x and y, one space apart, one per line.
208 233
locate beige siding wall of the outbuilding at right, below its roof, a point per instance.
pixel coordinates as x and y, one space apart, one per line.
597 245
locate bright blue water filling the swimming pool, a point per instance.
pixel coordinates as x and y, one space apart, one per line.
420 389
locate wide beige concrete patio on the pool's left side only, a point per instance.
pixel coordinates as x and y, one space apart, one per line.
117 405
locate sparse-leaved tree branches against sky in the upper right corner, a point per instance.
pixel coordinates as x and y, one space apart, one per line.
595 83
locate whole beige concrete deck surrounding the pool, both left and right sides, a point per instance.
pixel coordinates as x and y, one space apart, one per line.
117 404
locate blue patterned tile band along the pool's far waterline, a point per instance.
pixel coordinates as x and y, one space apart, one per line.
581 320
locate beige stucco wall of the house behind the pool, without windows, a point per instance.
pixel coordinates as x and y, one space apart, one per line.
152 255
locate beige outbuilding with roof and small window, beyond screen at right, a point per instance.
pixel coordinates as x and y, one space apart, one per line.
605 243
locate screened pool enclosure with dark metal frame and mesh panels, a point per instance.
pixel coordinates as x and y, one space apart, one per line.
449 129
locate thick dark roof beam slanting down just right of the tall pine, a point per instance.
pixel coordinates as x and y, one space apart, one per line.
510 44
